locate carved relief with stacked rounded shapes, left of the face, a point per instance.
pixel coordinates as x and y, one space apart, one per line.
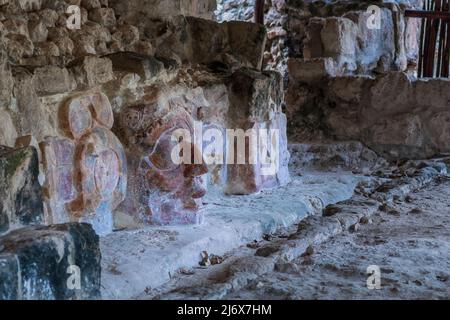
86 171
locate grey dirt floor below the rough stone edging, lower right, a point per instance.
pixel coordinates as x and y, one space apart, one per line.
410 242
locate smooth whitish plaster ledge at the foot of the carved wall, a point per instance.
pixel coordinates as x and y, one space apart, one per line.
134 261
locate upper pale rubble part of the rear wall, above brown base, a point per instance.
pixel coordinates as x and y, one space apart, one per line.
332 29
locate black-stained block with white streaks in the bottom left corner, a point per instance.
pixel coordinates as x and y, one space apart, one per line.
42 263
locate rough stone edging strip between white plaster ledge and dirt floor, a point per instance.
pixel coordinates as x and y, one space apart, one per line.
246 264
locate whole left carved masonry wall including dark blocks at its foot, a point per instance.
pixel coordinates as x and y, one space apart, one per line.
85 121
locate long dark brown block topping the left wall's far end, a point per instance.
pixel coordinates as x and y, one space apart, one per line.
194 40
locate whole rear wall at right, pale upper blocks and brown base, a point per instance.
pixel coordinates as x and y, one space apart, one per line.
349 81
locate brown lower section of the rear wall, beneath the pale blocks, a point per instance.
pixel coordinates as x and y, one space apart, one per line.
394 115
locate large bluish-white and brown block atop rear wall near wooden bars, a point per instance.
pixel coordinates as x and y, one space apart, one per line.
342 32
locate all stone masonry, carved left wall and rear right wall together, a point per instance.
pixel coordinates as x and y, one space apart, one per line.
87 114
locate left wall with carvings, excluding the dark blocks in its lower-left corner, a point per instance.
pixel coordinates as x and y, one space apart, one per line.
78 83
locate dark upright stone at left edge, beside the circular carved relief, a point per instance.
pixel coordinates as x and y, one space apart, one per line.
20 192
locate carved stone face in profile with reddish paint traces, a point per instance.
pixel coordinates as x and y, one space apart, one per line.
172 191
